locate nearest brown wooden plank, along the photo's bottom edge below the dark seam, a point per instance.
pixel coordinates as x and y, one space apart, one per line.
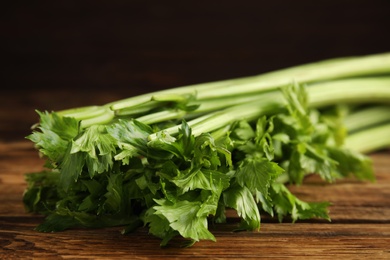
274 240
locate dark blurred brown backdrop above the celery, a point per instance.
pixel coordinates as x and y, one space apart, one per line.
60 54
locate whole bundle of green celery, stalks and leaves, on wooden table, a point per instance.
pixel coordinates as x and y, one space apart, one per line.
175 160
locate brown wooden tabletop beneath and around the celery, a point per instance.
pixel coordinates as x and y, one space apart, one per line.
360 211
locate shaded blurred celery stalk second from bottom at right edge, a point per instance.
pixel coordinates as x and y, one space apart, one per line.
367 117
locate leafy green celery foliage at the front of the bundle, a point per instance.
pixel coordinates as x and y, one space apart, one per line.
163 177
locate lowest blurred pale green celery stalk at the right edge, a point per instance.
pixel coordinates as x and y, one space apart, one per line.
370 139
